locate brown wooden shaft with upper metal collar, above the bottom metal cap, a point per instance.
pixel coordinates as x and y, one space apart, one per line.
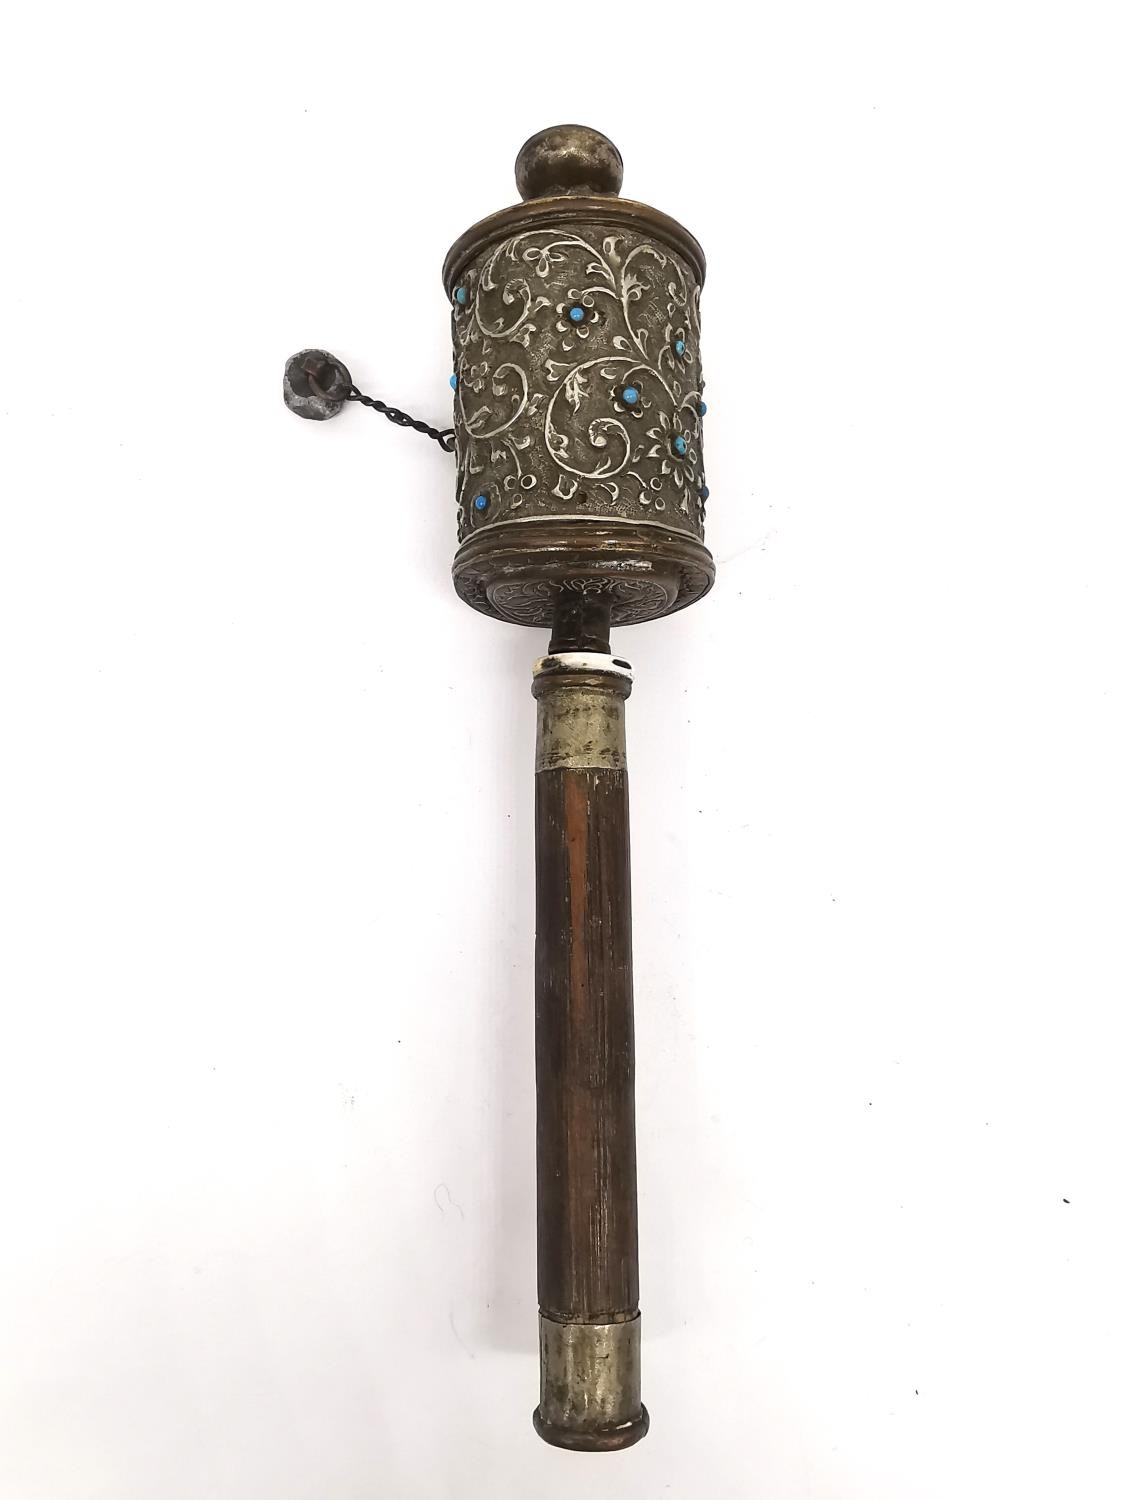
584 1009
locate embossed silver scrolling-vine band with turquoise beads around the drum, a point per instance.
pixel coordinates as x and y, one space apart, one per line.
577 379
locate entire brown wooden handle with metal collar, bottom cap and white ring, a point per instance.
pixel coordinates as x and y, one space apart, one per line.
590 1330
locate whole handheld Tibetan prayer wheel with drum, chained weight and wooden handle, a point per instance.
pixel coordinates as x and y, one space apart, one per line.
581 500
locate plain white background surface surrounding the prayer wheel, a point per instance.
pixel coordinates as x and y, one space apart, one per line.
266 1085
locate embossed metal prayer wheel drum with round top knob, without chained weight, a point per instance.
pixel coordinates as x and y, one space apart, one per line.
578 397
